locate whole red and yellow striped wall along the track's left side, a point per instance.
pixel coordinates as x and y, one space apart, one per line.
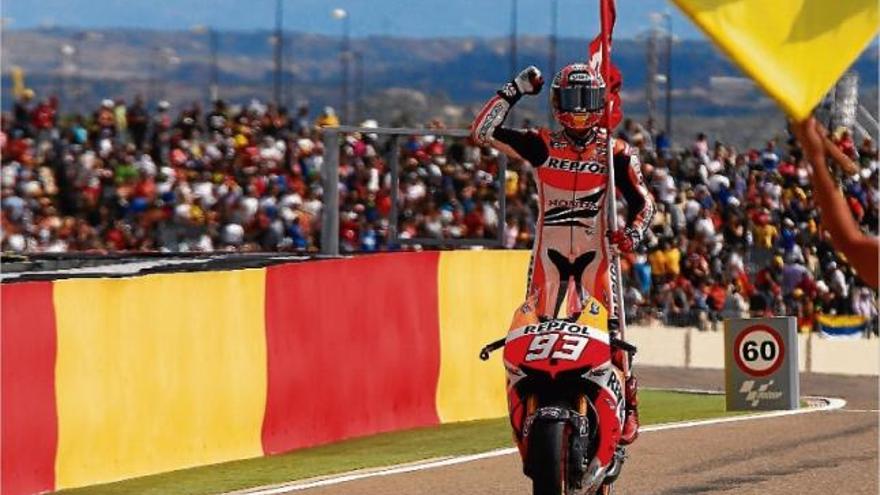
107 379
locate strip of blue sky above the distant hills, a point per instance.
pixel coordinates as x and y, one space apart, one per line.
412 18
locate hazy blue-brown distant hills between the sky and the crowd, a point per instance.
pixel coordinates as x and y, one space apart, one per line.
445 76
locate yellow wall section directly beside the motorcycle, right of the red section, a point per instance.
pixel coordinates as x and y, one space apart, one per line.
478 292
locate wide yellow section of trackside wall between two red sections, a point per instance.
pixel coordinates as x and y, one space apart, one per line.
158 373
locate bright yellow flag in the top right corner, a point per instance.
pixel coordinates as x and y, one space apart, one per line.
795 49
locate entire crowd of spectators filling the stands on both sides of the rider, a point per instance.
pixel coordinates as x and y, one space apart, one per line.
736 231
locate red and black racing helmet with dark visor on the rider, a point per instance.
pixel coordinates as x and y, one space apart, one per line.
577 96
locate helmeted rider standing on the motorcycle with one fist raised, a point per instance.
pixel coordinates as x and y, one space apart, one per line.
572 174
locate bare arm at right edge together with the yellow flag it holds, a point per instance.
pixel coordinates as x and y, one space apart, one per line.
796 51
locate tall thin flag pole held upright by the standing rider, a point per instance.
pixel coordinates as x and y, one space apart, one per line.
618 315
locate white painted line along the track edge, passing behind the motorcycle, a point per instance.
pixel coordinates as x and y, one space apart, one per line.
832 404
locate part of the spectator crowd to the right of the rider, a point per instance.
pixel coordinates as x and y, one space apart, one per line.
738 233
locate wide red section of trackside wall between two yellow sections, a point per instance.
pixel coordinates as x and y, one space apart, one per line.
353 348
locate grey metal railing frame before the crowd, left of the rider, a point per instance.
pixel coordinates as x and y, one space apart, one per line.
330 183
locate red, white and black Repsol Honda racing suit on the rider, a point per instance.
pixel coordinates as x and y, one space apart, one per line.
571 249
